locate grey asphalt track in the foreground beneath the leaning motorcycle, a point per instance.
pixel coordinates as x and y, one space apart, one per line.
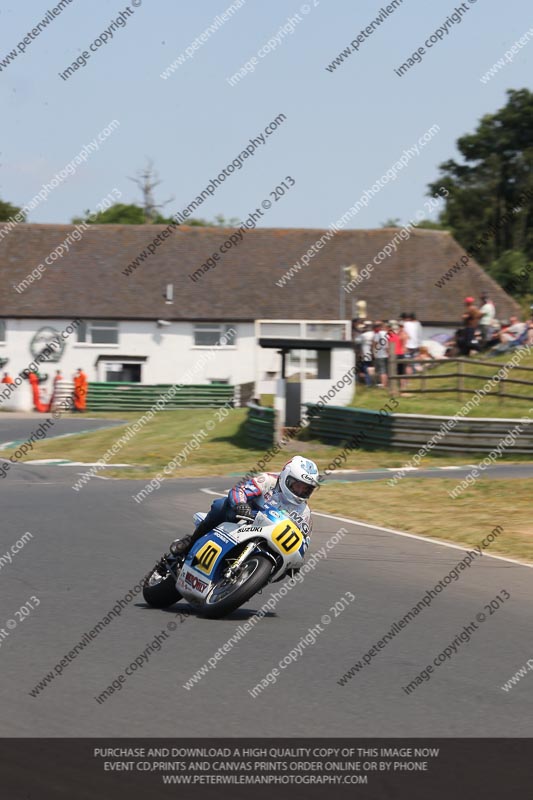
90 547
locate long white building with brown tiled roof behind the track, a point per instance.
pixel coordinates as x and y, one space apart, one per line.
150 299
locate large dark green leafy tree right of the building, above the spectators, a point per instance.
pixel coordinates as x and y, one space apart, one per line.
486 209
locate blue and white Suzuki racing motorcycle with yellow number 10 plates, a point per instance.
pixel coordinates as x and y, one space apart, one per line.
230 564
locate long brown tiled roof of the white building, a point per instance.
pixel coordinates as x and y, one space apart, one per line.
88 281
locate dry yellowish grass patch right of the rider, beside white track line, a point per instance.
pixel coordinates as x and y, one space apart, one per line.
424 507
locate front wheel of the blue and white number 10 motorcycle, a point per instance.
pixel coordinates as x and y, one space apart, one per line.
227 595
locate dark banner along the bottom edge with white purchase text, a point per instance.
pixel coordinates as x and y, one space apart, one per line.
425 769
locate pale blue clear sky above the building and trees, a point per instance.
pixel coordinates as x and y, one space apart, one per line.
343 130
